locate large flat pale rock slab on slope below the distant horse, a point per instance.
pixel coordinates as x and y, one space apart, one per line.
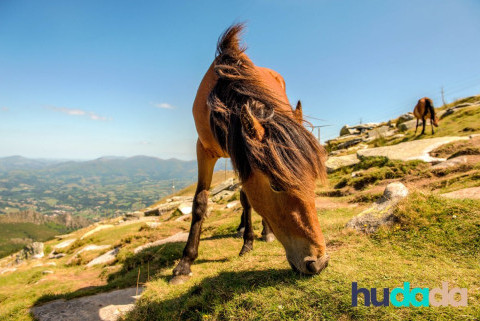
412 150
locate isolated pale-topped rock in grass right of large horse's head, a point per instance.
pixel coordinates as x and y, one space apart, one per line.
381 212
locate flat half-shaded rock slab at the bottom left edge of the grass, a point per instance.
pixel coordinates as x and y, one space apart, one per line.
108 306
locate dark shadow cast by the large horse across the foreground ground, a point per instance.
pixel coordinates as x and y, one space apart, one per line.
139 268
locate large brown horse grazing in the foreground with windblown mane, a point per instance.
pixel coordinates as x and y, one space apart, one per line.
242 111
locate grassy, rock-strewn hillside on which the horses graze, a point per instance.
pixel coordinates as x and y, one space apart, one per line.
434 238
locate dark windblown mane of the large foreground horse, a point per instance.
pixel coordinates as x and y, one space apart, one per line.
286 152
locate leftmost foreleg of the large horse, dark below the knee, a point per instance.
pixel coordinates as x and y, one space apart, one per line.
206 164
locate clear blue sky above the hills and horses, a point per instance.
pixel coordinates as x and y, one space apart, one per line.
84 79
